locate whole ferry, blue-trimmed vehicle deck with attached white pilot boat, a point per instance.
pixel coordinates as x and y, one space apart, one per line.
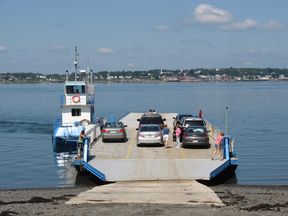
125 161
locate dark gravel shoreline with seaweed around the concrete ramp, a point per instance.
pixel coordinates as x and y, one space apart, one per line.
239 200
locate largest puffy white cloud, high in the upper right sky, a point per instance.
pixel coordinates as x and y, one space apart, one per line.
208 14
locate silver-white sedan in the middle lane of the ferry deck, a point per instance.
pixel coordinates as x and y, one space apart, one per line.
149 134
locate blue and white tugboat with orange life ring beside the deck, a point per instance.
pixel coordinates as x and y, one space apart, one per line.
77 106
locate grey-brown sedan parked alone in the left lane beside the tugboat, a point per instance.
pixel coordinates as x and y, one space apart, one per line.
114 130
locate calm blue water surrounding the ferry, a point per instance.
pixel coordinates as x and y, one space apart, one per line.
257 120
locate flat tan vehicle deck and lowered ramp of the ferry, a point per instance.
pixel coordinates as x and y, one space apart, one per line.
124 161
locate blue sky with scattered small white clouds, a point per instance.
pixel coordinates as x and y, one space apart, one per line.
112 35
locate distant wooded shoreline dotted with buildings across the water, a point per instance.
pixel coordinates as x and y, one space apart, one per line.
155 73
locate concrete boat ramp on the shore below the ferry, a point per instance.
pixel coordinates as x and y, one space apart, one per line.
185 192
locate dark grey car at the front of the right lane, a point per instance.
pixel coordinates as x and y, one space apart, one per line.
195 135
